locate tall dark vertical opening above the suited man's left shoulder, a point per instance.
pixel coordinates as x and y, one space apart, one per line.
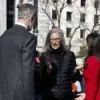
10 13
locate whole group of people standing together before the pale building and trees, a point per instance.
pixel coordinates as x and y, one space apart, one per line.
52 75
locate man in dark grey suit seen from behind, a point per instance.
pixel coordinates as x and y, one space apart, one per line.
17 56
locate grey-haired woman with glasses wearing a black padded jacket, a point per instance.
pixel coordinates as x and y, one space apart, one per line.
57 67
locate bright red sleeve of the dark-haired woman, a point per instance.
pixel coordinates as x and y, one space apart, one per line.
92 78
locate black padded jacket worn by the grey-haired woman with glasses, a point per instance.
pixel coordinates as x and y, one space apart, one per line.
56 85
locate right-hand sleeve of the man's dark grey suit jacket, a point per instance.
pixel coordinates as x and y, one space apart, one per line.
28 64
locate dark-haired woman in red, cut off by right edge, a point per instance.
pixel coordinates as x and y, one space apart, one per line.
92 67
